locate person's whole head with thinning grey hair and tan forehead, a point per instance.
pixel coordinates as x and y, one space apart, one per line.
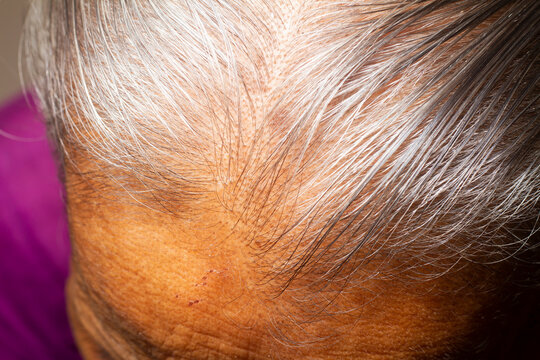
283 179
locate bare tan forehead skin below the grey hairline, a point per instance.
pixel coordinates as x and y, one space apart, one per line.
150 284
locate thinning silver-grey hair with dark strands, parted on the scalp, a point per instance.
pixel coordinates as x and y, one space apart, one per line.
342 131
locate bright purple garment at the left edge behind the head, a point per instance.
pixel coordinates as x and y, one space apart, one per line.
34 243
